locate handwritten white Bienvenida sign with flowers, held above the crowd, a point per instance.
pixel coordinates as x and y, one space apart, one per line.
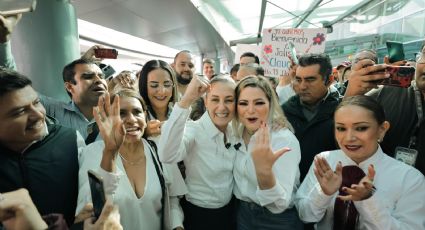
275 47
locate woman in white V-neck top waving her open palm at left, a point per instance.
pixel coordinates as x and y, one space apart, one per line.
128 165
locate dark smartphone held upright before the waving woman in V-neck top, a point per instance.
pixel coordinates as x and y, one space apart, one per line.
98 195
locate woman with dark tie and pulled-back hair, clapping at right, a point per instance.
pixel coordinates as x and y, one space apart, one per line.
368 189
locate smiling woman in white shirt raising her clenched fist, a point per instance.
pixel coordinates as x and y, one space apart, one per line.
204 146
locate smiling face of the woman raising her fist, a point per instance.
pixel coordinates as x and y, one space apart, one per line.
220 104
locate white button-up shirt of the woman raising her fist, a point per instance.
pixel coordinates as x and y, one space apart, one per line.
209 164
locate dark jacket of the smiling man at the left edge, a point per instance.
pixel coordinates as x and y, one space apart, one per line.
48 170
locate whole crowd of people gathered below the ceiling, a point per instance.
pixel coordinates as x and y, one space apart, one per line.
325 147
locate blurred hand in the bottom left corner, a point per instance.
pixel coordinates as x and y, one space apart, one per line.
17 211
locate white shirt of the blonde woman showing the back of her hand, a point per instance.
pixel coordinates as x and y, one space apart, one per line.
285 169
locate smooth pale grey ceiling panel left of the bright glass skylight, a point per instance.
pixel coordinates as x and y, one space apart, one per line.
174 23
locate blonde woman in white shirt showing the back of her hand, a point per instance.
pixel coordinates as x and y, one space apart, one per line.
266 180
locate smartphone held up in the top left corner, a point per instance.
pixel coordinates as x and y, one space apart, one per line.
13 7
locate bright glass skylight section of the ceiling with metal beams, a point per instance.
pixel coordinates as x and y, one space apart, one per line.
241 21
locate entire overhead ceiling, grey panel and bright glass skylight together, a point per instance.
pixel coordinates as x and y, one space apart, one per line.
209 27
